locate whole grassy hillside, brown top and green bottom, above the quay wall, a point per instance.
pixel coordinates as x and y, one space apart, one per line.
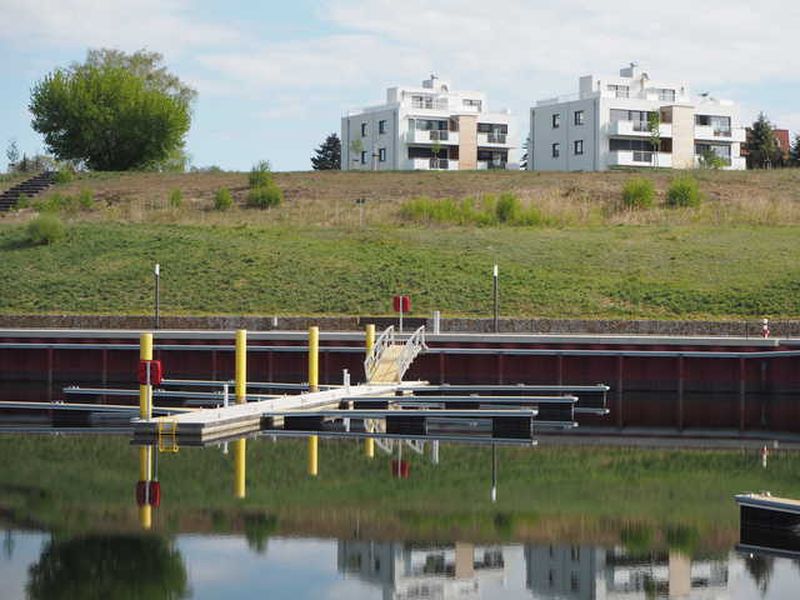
735 256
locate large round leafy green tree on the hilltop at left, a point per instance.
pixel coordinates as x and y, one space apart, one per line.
113 112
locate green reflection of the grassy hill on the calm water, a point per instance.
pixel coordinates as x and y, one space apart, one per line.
76 484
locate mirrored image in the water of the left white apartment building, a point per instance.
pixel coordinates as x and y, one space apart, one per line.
408 571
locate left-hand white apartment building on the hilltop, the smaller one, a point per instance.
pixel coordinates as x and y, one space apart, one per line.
427 127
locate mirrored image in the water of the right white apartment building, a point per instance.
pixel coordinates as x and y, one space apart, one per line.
590 572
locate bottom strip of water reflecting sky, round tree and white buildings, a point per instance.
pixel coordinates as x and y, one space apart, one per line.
238 566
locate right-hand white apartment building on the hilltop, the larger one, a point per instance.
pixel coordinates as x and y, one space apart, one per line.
611 123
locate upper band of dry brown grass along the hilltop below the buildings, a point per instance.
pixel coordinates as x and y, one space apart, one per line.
328 198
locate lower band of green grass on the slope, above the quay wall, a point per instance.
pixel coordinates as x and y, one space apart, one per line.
648 271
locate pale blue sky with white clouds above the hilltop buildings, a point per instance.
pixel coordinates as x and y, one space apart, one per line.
275 77
